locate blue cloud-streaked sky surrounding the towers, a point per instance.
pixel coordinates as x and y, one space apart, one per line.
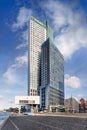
68 19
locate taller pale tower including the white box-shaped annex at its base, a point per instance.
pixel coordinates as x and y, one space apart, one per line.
38 33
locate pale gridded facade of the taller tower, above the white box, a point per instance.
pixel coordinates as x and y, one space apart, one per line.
37 35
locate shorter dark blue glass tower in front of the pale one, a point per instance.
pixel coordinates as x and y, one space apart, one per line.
52 75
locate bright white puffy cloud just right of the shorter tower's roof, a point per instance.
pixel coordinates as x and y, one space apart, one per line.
72 41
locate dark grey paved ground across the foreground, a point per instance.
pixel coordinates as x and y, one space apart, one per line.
45 123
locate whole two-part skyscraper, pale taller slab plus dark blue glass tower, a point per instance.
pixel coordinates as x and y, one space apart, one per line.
46 65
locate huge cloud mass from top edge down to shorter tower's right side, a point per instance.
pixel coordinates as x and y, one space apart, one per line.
69 27
